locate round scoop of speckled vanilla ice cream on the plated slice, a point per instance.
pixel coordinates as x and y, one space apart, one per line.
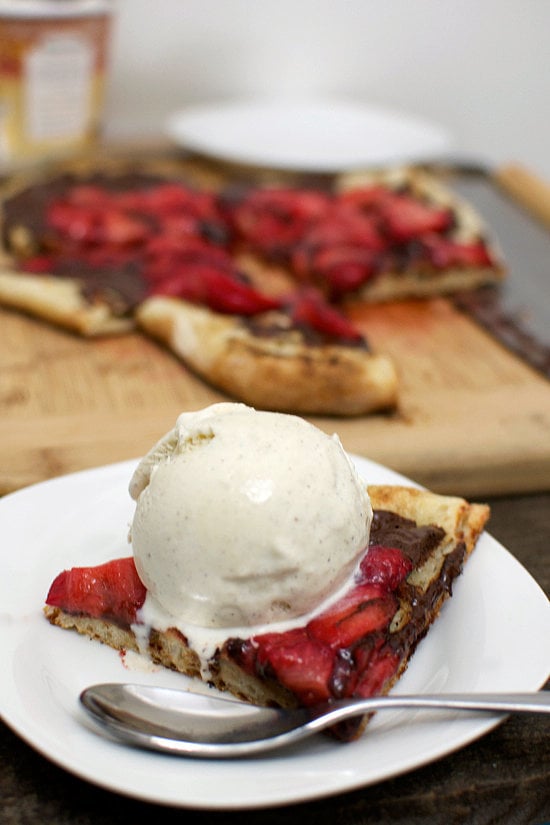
246 517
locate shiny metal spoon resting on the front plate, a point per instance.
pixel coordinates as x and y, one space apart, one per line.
193 724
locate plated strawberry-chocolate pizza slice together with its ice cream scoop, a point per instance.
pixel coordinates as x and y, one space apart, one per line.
264 565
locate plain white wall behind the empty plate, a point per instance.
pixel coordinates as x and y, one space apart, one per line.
481 68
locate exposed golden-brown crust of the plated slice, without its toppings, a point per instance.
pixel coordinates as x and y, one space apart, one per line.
462 522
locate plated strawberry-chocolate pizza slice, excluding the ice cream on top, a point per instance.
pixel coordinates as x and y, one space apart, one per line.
358 646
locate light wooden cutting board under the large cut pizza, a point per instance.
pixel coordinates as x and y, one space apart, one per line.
473 419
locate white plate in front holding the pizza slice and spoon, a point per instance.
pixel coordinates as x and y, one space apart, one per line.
494 634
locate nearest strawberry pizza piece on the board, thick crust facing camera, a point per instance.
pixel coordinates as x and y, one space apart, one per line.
302 357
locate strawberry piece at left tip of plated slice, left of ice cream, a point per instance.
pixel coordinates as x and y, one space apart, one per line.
111 591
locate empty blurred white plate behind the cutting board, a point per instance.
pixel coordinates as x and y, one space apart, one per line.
309 136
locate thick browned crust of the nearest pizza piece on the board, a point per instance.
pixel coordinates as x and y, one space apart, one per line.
281 372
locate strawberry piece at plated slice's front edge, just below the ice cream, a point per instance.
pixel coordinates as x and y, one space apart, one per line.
302 664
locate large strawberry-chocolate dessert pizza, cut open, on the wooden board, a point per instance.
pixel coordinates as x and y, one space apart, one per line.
247 284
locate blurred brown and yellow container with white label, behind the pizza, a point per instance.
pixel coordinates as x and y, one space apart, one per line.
53 63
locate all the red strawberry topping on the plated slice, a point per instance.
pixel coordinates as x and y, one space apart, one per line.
344 651
